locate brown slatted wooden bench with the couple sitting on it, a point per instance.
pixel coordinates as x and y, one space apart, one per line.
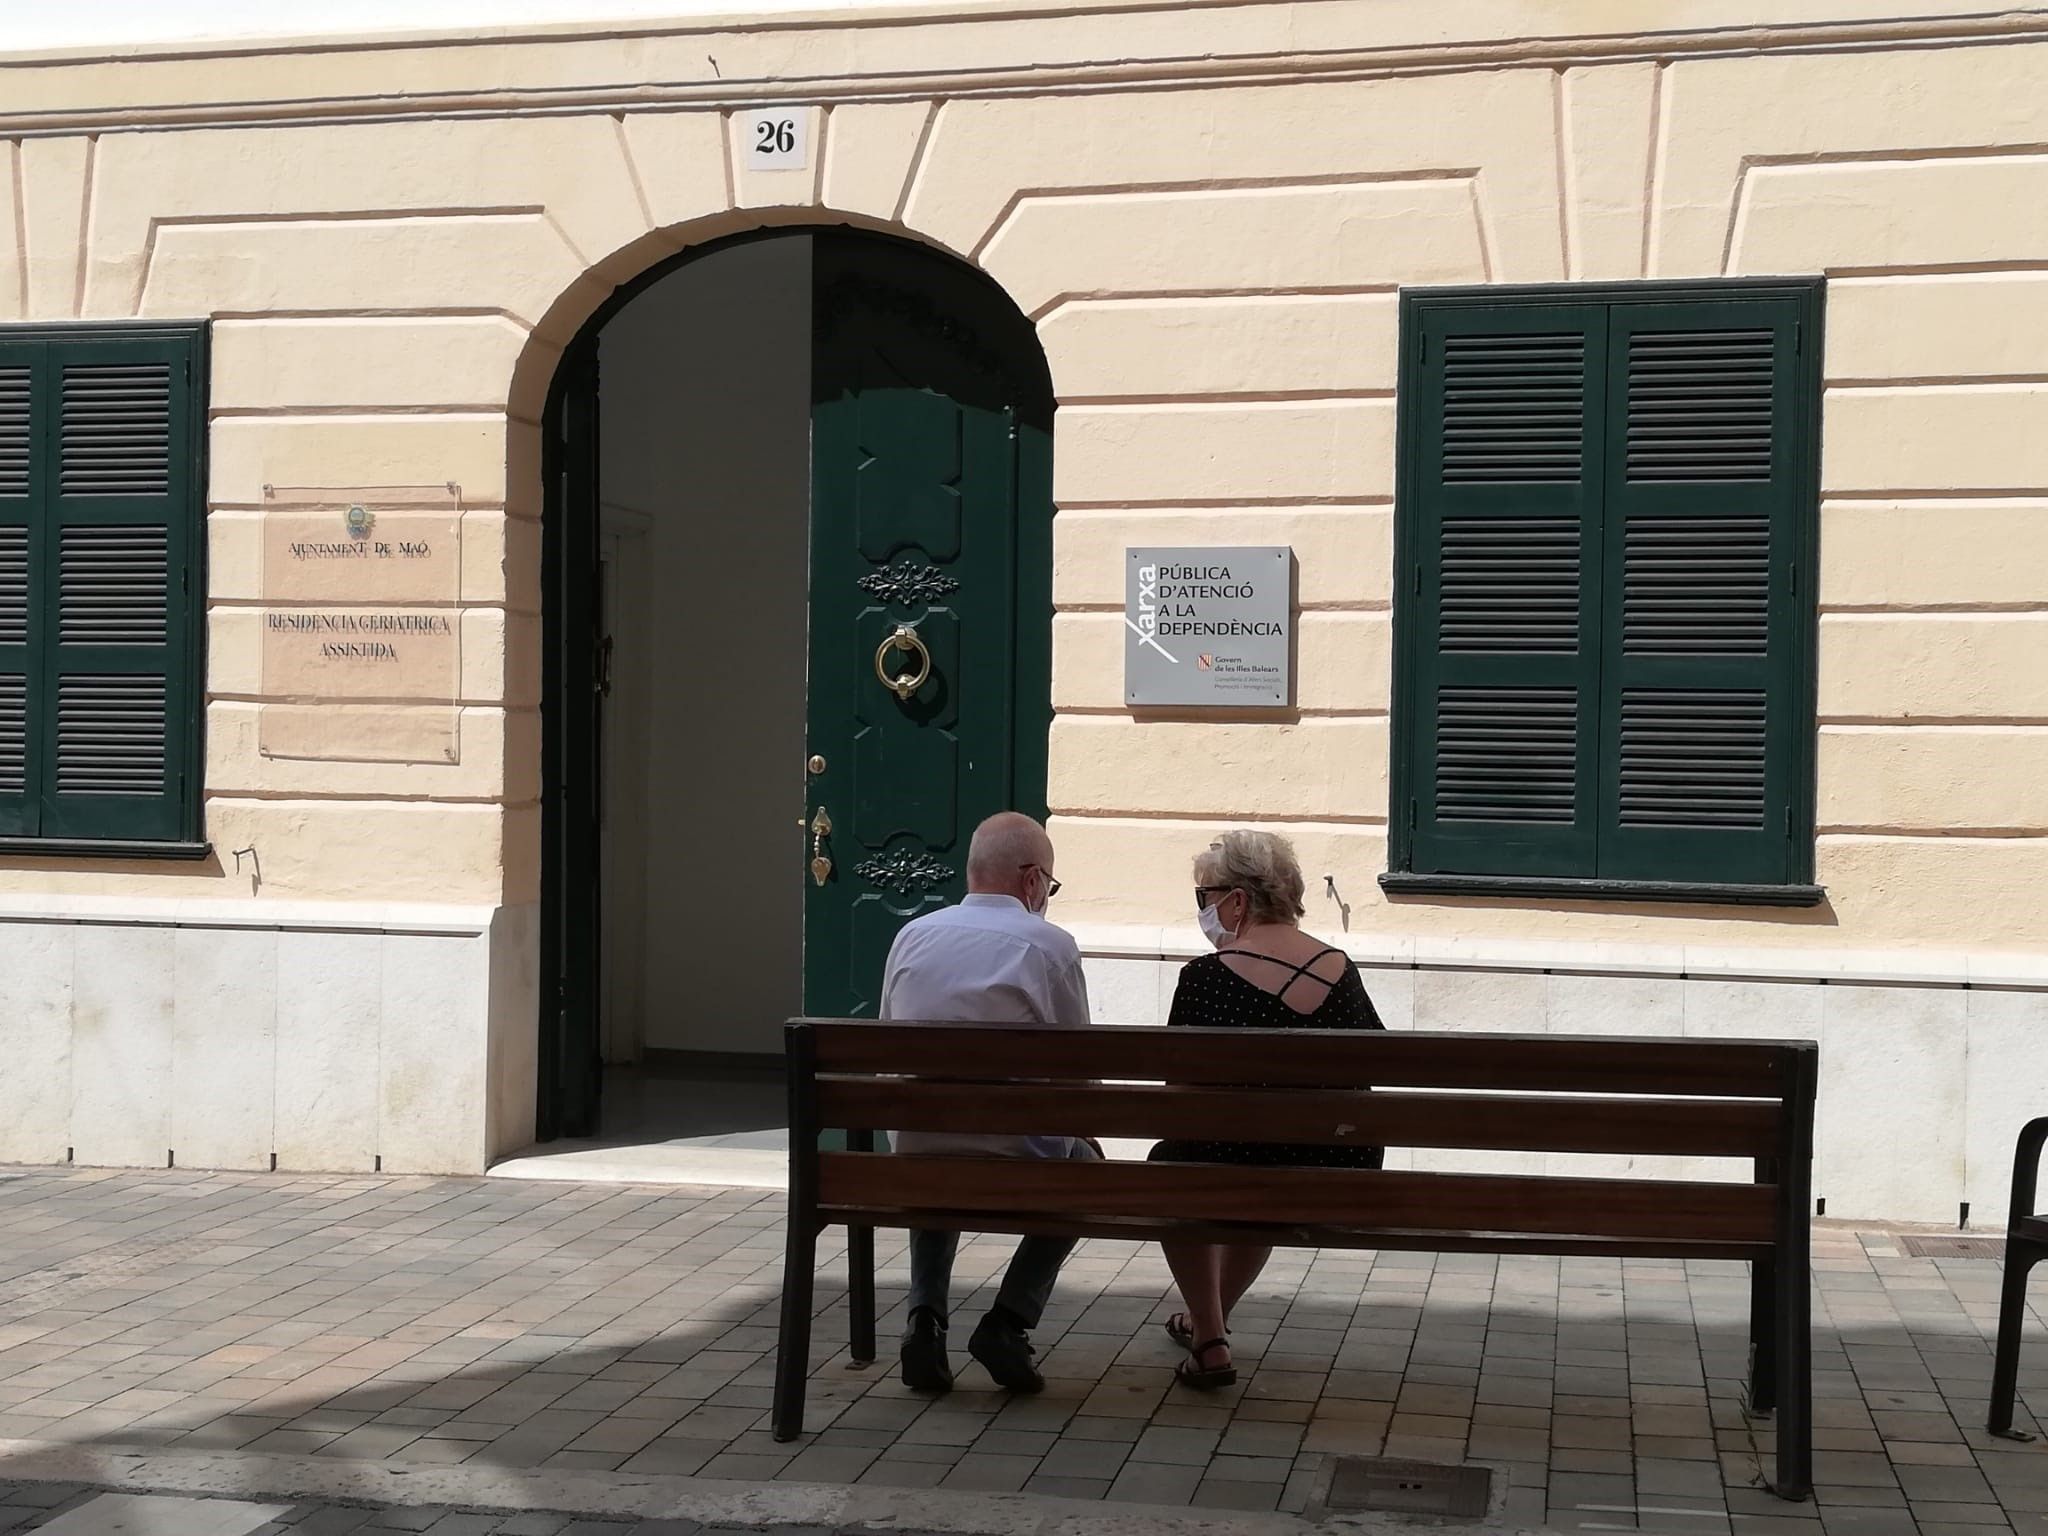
1535 1093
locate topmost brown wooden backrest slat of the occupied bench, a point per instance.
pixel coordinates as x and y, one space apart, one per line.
1316 1058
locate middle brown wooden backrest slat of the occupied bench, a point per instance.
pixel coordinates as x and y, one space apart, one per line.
1308 1115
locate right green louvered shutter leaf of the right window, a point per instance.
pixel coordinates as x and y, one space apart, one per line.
1699 628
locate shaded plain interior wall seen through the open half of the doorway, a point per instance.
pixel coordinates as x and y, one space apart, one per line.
706 470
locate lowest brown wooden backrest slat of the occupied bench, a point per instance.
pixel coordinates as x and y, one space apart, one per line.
1465 1203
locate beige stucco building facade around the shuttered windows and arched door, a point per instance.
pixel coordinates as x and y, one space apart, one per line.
1209 212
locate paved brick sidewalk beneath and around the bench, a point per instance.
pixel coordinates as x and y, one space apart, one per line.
630 1330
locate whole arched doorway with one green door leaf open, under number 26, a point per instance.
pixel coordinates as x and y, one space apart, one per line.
798 638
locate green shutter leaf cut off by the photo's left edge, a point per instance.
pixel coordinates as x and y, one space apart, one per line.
17 622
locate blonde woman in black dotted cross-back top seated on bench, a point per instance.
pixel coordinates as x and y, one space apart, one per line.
1265 976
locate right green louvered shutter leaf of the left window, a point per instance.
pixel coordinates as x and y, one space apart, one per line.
116 693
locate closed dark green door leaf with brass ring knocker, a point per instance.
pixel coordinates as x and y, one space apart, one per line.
931 513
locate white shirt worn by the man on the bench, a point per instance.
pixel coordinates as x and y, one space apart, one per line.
986 962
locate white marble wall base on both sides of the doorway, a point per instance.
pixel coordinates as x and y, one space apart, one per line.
357 1039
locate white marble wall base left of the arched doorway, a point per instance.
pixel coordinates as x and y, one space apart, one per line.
337 1039
